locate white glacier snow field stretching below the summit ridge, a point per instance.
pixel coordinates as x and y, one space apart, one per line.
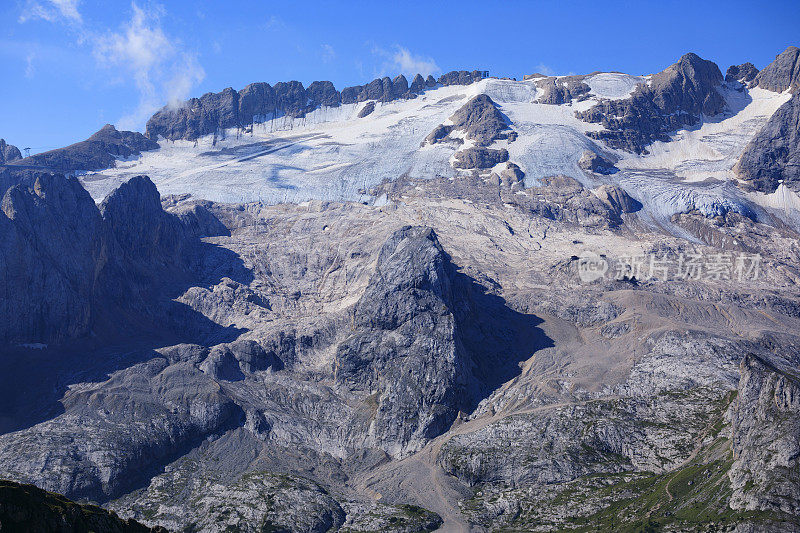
331 154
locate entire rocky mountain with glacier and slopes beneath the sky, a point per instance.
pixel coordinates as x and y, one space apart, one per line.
464 303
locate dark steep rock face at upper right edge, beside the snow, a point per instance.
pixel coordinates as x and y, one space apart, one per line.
774 153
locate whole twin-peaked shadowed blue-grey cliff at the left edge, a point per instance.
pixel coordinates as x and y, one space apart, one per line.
67 264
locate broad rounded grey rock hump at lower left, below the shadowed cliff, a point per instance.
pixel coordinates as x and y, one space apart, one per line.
145 417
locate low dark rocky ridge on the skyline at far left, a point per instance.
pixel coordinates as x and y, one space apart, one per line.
98 152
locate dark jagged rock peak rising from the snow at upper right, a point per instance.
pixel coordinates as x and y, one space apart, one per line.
677 97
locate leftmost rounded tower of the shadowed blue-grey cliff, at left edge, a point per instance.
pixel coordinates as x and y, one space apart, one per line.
50 248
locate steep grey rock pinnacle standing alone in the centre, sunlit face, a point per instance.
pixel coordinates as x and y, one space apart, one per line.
405 348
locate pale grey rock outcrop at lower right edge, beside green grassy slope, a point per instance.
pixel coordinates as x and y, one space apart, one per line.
765 419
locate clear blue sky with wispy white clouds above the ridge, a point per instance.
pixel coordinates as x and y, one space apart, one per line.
70 66
